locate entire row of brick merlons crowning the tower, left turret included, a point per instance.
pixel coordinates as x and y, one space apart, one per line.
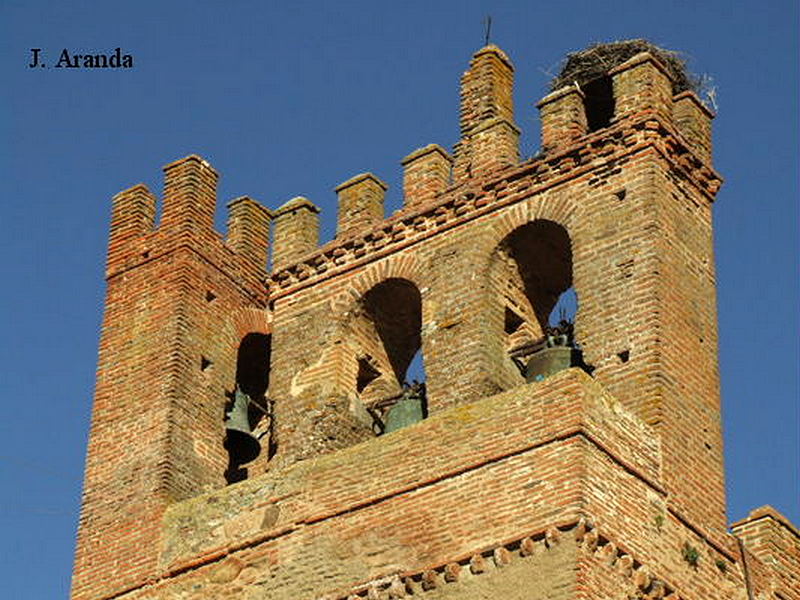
638 90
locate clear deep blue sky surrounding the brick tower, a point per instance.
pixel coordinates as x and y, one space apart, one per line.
292 98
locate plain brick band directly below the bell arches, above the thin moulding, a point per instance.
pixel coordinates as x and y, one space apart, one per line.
564 407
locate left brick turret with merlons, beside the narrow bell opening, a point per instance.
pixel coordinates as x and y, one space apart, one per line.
167 359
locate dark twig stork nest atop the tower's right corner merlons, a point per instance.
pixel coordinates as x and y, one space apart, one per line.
597 60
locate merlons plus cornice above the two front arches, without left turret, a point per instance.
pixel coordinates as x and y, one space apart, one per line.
639 106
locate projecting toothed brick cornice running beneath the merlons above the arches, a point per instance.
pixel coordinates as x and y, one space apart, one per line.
441 211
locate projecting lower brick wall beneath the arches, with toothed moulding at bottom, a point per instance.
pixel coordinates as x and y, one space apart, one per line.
538 474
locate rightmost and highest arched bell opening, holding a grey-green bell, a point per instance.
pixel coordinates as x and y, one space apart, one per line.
532 268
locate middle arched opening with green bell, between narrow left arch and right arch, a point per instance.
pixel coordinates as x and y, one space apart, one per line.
391 374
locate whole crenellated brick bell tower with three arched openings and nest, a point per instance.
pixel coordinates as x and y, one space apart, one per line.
509 475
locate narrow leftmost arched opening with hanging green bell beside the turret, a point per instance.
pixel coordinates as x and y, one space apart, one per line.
248 412
